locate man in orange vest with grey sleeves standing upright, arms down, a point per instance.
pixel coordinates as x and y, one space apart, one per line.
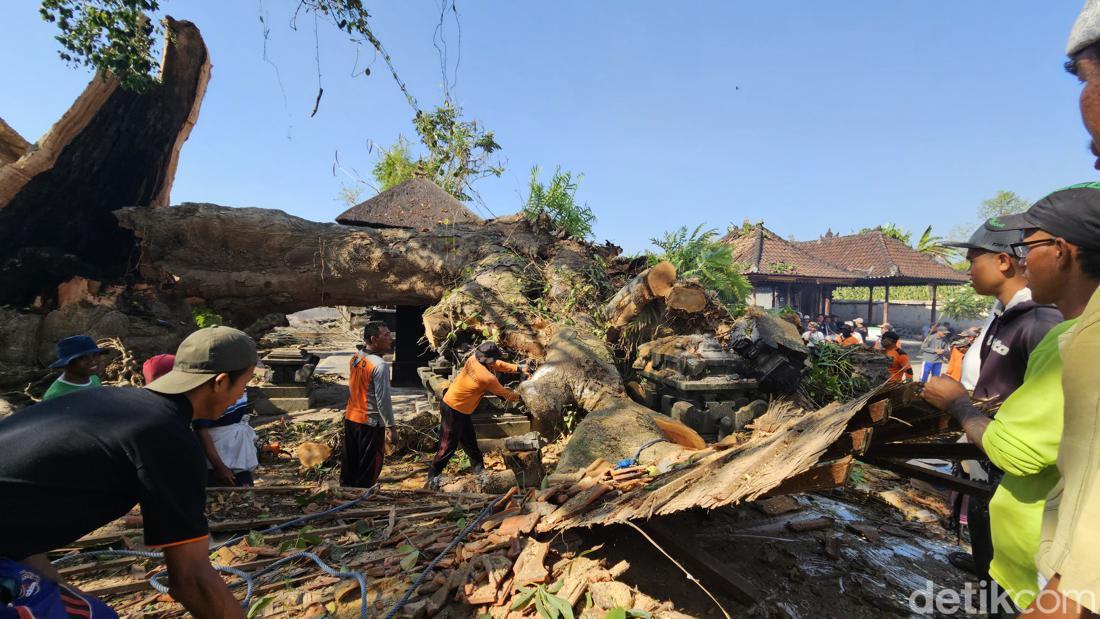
370 419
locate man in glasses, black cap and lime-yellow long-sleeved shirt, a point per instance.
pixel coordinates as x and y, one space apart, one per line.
1022 440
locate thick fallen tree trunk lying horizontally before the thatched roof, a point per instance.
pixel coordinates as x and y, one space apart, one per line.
248 263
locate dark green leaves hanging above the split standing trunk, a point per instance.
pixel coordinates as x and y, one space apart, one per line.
116 37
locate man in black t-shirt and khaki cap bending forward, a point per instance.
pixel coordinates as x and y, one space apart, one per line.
78 462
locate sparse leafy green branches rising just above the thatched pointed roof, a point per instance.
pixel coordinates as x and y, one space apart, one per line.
458 153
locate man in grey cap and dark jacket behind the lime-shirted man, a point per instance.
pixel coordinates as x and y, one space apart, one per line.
995 368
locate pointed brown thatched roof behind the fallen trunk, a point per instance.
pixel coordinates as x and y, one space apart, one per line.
419 204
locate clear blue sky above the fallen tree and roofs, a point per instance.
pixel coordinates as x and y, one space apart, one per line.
810 116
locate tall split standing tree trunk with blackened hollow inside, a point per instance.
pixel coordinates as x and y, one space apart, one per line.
113 149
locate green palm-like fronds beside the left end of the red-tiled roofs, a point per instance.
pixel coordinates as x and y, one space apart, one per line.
702 255
